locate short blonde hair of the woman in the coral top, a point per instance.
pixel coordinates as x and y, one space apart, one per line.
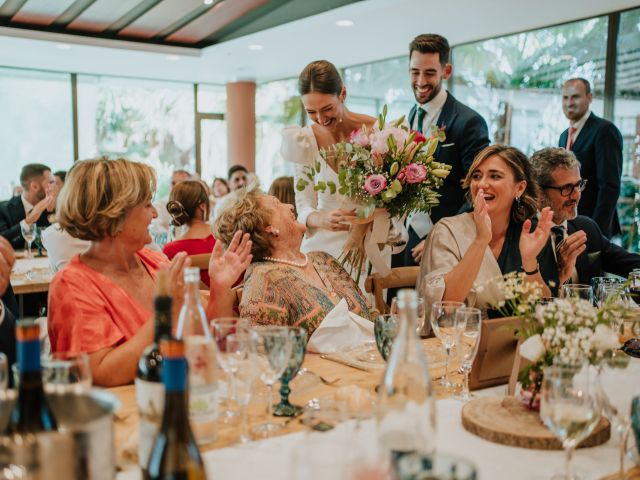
99 193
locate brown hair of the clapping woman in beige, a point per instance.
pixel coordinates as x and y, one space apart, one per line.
521 169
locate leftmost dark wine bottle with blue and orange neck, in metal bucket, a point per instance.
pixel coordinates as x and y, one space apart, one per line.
31 412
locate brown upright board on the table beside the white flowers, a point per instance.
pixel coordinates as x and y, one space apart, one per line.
496 353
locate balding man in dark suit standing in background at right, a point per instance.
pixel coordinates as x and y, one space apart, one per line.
597 144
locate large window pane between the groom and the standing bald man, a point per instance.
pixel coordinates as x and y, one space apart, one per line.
515 82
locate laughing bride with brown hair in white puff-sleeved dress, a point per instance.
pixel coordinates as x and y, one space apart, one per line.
327 216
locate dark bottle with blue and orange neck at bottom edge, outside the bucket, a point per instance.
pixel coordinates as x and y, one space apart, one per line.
175 455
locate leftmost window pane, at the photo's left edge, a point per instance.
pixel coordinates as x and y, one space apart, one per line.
35 123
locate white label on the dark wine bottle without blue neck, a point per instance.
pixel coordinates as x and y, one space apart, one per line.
150 400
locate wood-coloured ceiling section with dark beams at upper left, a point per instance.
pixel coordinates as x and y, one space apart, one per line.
190 23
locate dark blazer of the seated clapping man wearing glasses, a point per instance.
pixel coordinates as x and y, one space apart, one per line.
601 256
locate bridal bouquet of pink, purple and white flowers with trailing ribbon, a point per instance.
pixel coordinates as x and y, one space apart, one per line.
386 171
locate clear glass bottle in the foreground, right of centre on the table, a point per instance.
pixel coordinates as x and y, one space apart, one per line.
406 404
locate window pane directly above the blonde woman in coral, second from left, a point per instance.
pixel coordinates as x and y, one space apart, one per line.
141 120
